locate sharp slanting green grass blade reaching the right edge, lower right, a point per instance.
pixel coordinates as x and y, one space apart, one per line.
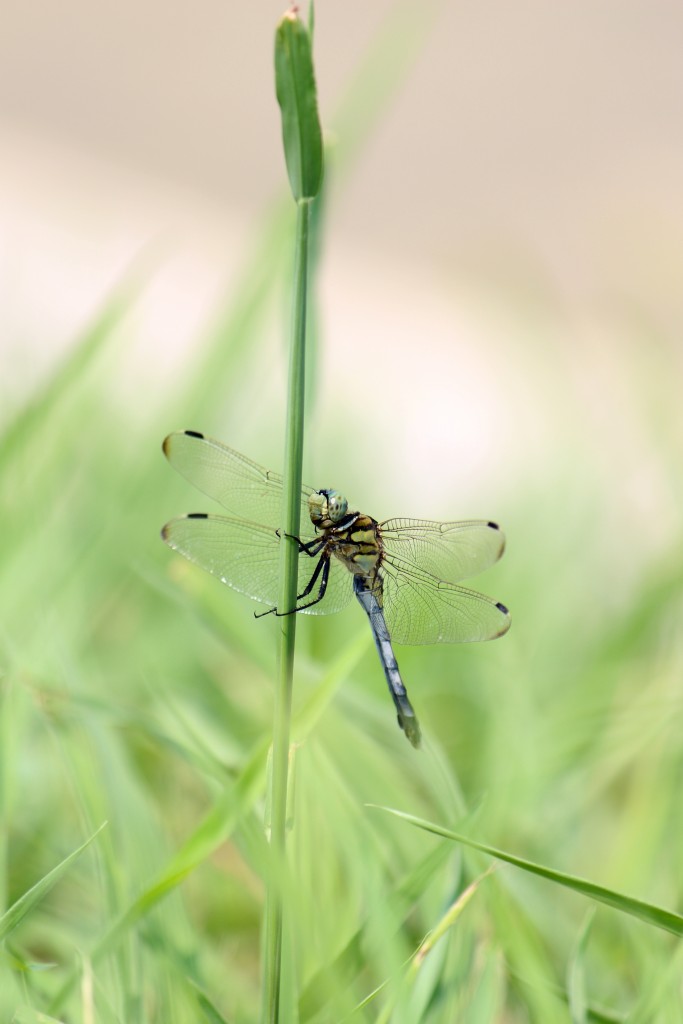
668 921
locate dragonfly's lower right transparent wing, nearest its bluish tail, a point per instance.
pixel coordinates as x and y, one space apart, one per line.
420 609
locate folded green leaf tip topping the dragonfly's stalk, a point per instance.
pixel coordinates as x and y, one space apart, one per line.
295 88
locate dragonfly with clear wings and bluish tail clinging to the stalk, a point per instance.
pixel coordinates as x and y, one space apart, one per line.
406 574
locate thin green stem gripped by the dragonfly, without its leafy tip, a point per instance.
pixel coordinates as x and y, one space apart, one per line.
273 953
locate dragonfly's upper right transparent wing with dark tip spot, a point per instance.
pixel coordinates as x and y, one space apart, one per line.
451 551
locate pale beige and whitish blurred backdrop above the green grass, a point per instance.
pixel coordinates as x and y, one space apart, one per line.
519 204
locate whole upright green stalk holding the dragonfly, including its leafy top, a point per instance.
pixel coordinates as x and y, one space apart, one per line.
295 87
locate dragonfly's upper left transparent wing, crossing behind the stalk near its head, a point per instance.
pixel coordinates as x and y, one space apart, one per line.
241 486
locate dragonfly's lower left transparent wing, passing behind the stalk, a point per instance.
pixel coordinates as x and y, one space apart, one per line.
246 557
